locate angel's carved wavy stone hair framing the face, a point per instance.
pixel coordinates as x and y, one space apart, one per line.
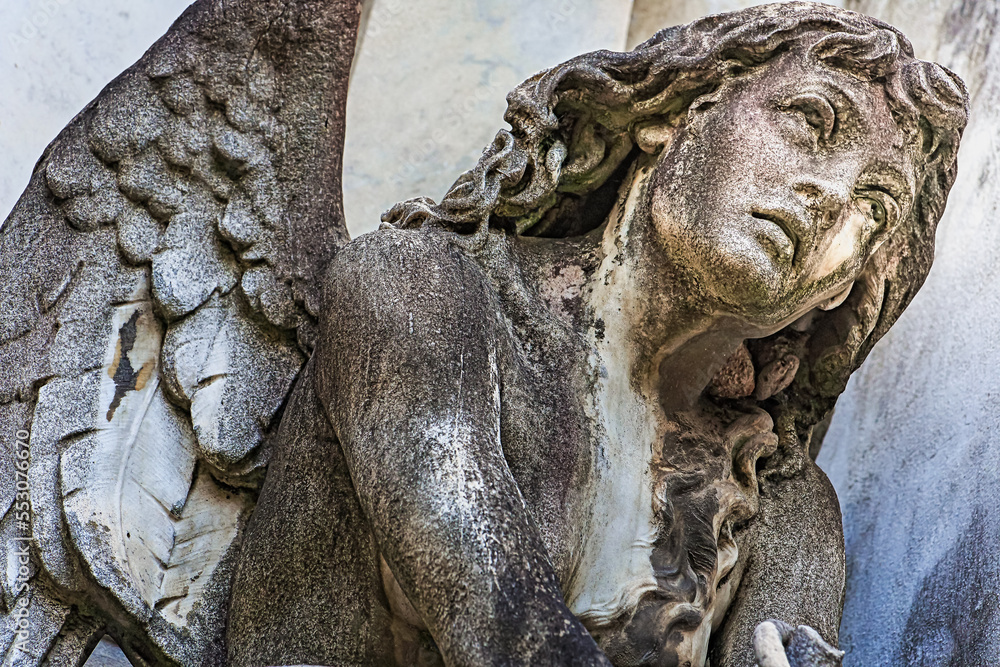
574 127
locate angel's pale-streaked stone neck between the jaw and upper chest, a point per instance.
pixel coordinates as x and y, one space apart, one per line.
634 307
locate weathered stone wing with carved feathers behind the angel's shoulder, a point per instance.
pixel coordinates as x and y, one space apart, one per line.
159 290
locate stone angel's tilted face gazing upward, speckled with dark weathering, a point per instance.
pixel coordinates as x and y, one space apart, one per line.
781 186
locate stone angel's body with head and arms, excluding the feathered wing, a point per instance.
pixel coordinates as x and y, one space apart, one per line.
446 325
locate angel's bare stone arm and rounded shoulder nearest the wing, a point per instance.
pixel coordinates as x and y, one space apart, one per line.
408 372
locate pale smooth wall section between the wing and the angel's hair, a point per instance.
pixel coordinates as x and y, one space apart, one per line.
430 80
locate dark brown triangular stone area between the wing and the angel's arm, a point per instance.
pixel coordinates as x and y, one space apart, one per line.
311 552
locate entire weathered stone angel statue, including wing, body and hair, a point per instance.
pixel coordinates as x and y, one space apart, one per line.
567 416
